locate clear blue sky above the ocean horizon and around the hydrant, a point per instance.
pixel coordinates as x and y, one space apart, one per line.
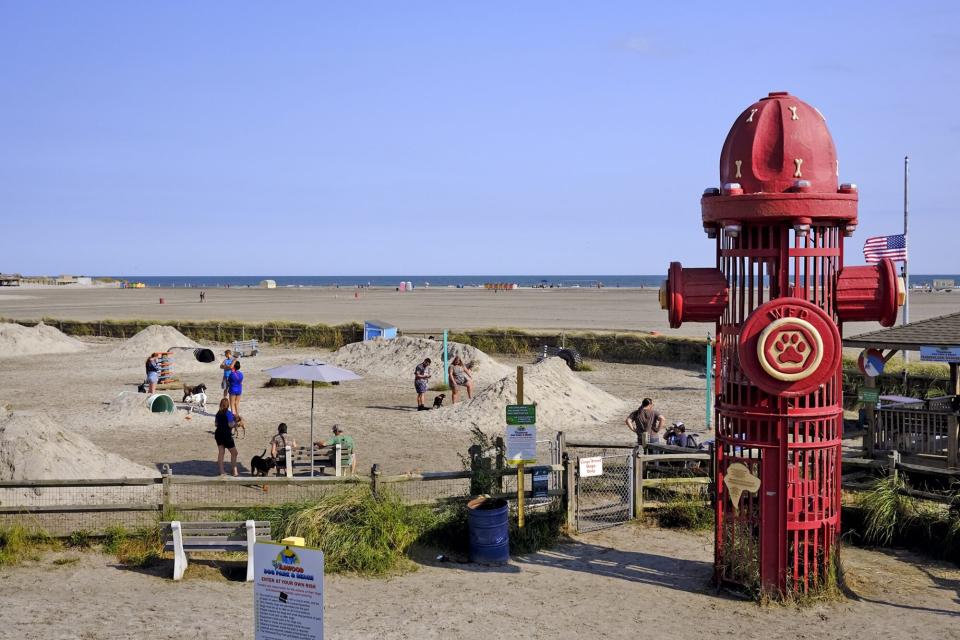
446 137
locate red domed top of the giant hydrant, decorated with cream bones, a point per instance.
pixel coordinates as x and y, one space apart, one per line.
780 144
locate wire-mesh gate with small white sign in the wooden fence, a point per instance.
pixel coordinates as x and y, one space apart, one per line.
605 500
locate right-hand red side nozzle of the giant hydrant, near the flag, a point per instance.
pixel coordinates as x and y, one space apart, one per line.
871 292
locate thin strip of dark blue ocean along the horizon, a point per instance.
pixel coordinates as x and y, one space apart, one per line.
436 281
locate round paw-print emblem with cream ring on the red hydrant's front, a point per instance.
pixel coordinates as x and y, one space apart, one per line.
790 349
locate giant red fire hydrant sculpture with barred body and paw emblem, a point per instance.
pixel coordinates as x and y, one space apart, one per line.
779 295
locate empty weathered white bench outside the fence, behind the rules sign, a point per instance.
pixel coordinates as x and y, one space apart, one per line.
181 537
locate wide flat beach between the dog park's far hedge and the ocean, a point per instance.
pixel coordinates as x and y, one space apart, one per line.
420 310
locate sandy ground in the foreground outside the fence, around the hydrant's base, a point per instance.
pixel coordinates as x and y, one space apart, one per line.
626 582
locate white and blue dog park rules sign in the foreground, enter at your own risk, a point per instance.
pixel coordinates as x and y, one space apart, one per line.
287 592
